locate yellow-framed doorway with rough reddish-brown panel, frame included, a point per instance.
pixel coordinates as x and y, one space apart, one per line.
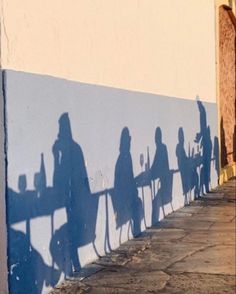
225 56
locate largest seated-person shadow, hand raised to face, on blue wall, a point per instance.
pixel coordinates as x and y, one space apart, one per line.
70 181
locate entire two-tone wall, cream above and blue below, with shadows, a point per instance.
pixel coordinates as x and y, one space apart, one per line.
110 71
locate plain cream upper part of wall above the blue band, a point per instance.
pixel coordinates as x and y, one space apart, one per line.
163 47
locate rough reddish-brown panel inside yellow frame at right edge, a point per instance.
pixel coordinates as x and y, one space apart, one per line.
227 84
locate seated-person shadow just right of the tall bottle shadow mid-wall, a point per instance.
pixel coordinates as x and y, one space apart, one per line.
160 169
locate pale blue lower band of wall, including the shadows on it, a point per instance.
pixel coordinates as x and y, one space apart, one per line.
90 166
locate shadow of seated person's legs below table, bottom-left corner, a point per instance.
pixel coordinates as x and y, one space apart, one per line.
28 272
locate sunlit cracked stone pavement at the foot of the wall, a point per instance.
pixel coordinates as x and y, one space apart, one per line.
190 251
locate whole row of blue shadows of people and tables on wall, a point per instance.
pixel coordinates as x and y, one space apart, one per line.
27 269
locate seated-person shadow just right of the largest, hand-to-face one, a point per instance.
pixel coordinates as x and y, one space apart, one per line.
126 203
